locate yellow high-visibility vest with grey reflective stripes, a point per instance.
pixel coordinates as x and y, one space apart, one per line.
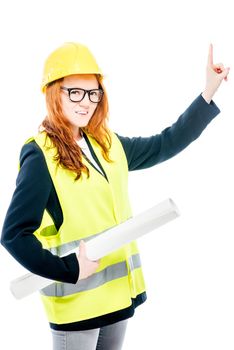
90 206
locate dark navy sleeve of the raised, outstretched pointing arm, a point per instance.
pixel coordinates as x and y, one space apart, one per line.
144 152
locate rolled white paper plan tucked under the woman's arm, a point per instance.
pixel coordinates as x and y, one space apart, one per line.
105 243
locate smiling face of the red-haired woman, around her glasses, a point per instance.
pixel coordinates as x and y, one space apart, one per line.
78 113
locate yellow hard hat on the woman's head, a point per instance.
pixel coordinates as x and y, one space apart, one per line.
68 59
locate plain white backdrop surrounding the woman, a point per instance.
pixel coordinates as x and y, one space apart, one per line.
159 49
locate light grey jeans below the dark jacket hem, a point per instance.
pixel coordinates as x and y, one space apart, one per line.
105 338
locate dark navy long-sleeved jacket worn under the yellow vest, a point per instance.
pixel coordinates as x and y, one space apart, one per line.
35 191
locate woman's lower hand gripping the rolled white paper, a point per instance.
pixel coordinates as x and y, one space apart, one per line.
87 267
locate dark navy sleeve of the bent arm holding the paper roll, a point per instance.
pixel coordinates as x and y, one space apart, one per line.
23 218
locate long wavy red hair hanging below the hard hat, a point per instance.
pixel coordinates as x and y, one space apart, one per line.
59 130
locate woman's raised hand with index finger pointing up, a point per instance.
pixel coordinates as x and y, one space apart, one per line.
215 73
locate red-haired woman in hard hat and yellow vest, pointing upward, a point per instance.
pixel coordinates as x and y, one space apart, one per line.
72 185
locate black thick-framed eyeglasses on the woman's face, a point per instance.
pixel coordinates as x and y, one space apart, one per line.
77 94
